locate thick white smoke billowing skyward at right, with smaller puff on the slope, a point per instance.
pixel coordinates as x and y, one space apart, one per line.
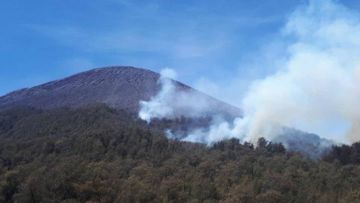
316 89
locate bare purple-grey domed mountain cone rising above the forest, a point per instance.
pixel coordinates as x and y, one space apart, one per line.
120 87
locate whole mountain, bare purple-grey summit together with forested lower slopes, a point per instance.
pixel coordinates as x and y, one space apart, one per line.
104 153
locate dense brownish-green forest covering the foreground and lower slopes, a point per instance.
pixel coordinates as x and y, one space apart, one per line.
98 154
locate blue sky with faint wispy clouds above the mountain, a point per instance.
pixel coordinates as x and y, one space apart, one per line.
43 40
